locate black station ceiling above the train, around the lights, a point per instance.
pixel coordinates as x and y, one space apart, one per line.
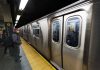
36 9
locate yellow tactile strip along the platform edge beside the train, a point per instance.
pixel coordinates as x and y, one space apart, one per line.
36 61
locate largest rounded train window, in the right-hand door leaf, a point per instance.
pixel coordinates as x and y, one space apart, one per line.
73 28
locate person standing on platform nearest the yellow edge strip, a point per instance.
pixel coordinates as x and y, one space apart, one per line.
16 44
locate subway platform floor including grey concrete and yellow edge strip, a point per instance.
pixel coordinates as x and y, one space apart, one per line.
30 60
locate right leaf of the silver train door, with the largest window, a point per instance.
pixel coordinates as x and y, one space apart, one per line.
74 37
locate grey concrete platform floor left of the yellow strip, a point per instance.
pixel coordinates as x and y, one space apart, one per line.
8 63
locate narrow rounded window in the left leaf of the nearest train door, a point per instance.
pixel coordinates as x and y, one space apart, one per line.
56 27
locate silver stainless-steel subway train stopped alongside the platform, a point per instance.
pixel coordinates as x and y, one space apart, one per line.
69 37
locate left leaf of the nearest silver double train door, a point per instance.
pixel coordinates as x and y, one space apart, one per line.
56 41
